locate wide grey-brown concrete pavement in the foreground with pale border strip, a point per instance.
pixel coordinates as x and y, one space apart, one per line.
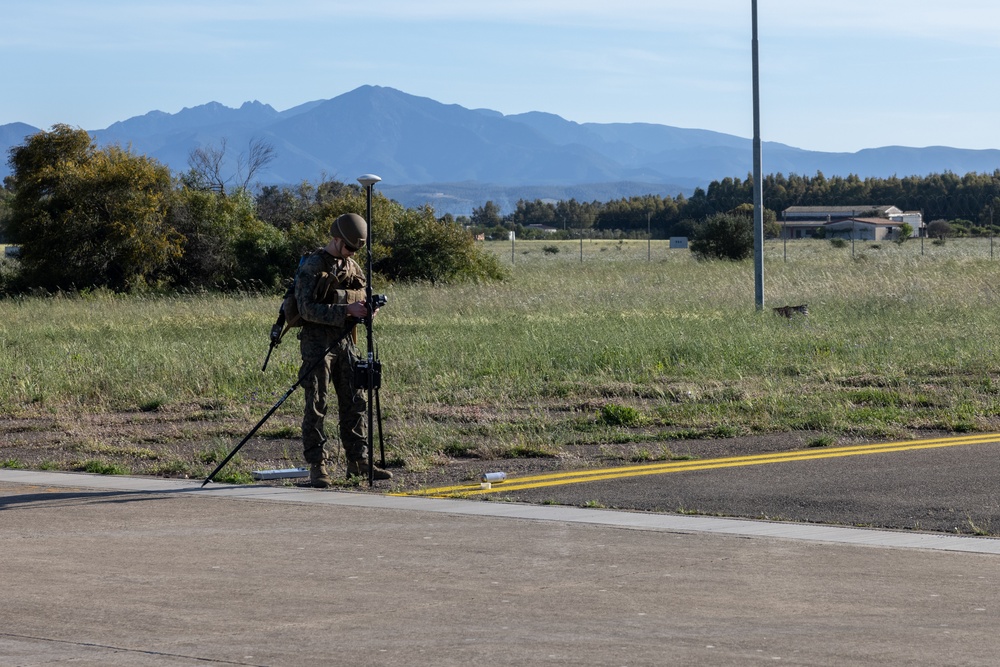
119 571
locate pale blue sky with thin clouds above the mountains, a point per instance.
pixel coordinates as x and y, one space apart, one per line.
836 75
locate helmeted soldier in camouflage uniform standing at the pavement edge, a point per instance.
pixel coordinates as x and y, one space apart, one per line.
330 294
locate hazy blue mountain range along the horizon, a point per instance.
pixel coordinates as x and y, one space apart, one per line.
456 158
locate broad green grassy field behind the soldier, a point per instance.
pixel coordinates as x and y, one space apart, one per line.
634 348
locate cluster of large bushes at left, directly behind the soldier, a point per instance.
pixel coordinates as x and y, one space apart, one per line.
85 217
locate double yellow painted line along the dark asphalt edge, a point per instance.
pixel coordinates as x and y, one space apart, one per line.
622 472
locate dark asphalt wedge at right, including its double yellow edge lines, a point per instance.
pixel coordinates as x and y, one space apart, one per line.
945 485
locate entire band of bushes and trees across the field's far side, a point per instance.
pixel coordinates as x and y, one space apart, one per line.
86 217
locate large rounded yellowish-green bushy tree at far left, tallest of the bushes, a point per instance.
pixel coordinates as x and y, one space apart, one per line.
86 217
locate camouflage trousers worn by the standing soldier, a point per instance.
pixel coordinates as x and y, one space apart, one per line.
337 369
